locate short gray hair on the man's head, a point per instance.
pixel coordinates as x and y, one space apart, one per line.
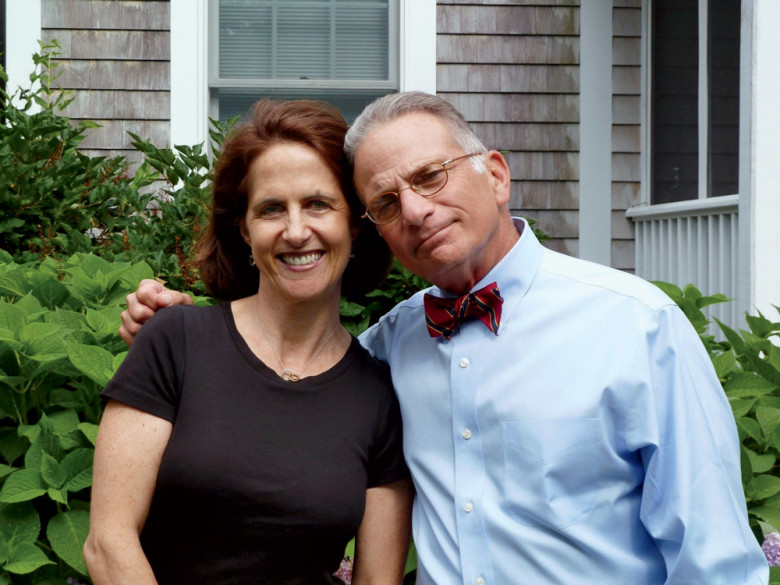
392 106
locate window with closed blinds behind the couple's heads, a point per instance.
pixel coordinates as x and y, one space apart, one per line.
342 51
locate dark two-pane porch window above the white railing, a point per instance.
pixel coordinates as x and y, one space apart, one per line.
694 99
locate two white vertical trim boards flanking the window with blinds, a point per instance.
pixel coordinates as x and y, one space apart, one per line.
189 61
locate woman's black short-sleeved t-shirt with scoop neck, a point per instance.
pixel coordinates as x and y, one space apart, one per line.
262 481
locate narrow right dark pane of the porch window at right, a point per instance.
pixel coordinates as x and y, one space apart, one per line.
724 22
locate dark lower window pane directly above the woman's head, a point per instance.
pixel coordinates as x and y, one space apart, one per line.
233 102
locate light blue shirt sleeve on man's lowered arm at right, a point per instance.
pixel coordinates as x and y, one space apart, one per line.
693 503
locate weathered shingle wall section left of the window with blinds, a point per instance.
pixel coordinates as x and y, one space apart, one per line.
115 57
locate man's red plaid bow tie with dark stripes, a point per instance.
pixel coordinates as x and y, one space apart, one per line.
443 316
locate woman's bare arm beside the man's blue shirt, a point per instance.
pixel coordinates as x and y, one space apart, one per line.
382 541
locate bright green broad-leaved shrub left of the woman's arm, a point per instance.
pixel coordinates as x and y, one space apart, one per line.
58 348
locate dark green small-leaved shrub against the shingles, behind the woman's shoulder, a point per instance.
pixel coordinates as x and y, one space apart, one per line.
58 202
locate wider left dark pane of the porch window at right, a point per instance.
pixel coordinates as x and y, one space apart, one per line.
675 100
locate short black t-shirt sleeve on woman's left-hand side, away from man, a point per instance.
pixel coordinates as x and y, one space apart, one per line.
150 377
